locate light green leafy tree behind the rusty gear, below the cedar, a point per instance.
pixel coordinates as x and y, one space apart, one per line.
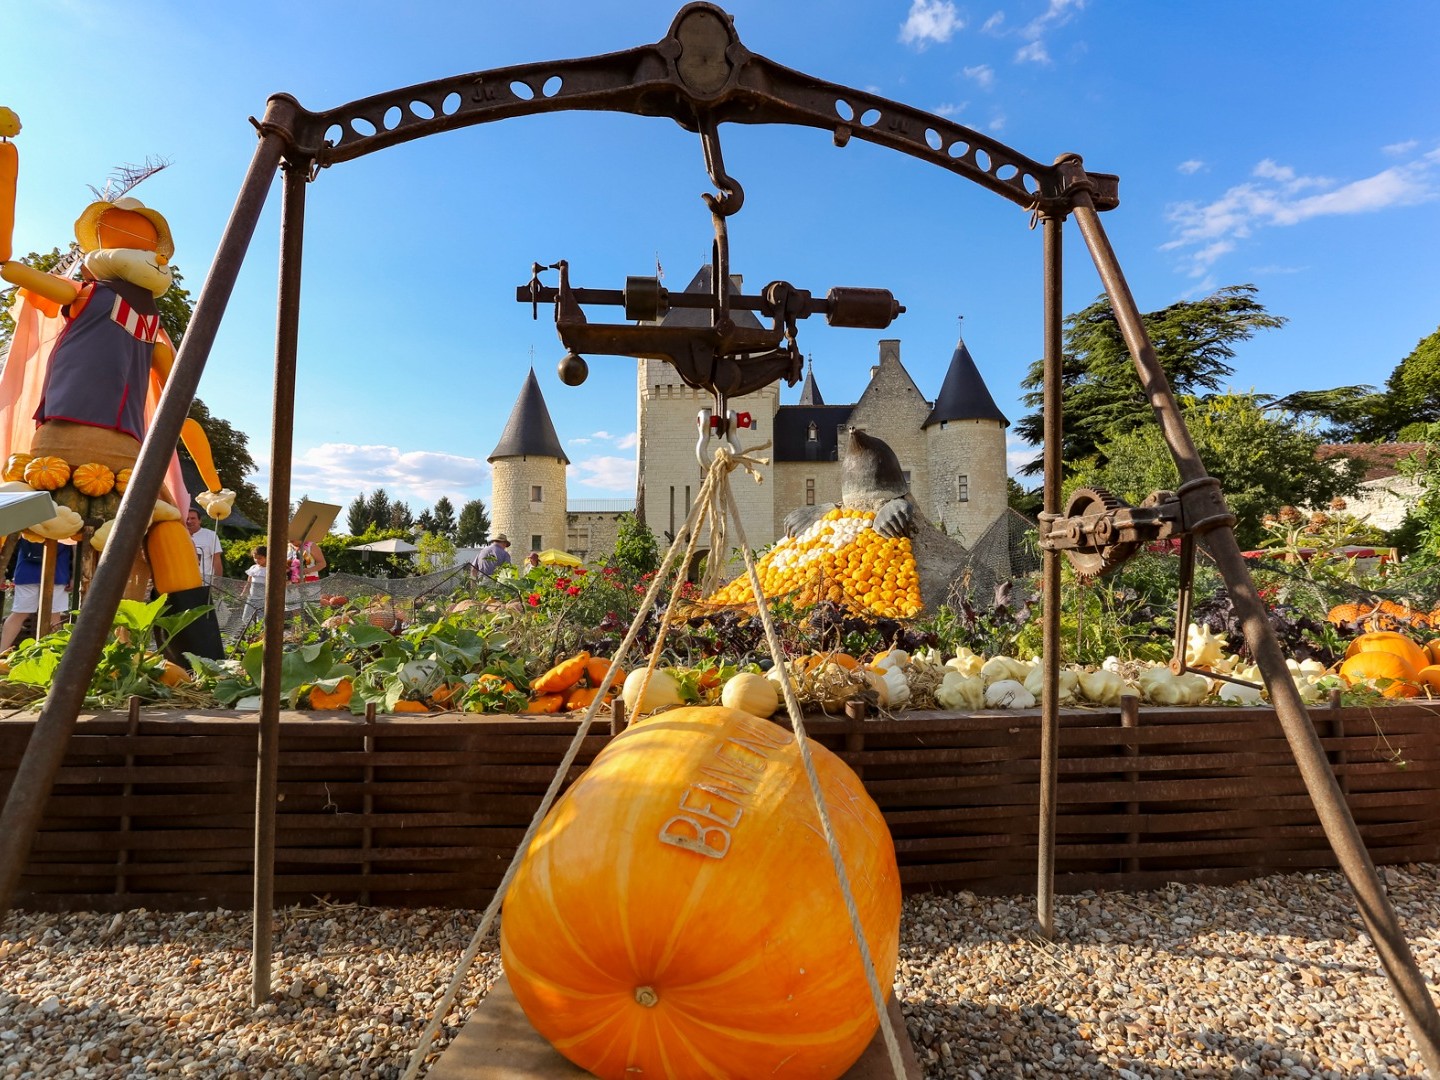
1262 462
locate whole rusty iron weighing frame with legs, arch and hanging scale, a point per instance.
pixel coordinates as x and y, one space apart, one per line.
699 76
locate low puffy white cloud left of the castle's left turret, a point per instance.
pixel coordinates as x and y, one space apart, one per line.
339 472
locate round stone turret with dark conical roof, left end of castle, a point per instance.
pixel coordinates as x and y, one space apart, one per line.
528 489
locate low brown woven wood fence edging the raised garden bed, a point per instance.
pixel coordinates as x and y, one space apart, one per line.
156 810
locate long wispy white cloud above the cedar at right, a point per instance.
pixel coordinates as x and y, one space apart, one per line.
1274 198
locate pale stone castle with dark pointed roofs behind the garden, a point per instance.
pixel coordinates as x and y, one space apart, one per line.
953 450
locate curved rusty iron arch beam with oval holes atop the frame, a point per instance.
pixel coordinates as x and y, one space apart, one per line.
699 70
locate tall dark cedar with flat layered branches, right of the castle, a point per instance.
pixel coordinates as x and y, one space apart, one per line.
1101 395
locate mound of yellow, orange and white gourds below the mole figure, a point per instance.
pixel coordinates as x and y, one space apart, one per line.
839 559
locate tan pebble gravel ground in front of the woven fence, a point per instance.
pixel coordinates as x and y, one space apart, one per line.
1271 978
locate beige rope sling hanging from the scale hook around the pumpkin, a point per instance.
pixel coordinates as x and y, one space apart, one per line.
715 505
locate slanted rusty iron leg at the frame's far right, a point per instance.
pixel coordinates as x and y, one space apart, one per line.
1340 827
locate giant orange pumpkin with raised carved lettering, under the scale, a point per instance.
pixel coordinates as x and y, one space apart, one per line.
679 915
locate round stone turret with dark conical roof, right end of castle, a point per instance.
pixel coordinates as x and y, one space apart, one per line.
966 433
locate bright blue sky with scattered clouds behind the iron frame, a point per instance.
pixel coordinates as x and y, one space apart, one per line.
1291 146
